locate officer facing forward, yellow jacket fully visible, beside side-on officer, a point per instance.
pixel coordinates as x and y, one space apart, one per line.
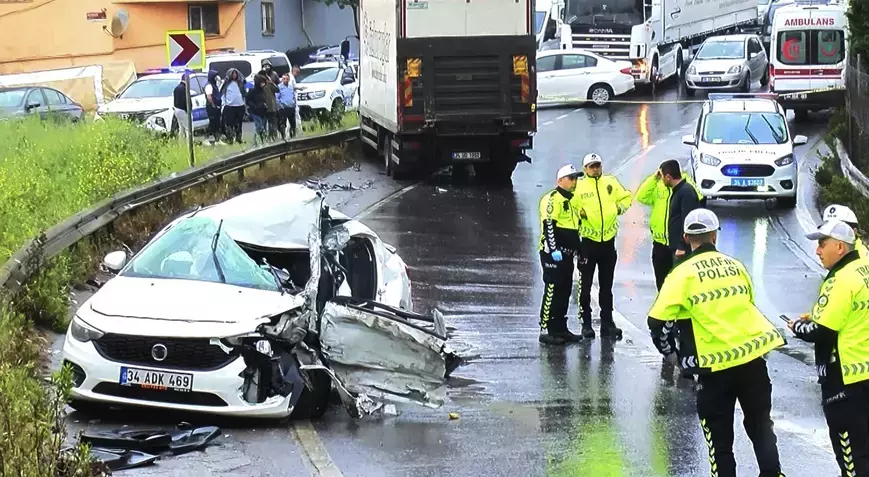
600 200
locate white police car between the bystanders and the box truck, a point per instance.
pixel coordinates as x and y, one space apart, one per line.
327 86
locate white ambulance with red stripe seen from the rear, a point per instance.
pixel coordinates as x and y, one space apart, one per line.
808 52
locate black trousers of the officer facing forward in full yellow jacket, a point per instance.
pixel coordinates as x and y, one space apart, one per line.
603 256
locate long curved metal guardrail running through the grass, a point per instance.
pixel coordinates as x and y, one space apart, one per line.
59 237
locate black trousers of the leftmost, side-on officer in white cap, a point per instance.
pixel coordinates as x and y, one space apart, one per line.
558 283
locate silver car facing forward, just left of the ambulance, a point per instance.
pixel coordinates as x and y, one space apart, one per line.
725 62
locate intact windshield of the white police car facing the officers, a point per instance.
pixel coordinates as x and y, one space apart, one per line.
745 128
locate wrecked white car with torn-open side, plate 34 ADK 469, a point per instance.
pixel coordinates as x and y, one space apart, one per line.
256 307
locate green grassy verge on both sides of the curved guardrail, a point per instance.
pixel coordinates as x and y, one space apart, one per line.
49 172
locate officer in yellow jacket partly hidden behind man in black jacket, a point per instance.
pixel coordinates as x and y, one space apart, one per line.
654 192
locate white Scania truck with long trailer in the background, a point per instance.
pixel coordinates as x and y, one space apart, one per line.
655 35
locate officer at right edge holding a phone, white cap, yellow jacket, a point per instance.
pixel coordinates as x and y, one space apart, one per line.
839 327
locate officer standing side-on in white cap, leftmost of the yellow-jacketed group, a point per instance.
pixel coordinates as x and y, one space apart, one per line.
559 246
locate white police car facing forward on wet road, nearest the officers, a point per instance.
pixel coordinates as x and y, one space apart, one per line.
742 148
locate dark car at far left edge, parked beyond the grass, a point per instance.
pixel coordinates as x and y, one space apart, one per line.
46 102
